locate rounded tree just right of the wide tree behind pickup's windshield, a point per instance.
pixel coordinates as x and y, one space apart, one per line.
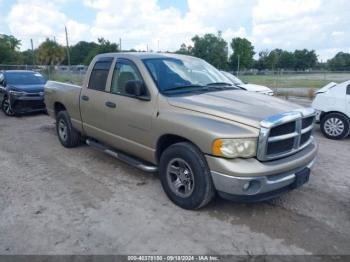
243 49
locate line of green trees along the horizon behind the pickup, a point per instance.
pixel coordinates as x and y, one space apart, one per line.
210 47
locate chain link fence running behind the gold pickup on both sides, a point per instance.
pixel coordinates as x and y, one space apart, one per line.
286 83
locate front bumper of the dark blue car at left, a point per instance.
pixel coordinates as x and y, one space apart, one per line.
26 104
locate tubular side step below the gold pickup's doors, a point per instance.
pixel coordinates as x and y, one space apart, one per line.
123 157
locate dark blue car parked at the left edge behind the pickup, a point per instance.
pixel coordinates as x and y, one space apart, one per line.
21 92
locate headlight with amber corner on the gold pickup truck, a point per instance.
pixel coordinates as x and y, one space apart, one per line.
232 148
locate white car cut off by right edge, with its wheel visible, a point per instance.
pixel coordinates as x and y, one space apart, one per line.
332 104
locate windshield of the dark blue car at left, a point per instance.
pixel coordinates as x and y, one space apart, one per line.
24 78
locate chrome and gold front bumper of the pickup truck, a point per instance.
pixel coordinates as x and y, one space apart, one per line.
249 180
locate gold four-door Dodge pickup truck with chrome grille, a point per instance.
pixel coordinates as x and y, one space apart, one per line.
178 115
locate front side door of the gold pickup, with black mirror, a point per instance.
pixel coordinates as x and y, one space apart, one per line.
130 120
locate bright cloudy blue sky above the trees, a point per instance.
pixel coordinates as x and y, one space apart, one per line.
163 25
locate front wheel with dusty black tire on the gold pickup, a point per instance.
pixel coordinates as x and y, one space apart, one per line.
183 162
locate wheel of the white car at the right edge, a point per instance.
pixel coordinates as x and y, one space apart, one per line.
335 126
